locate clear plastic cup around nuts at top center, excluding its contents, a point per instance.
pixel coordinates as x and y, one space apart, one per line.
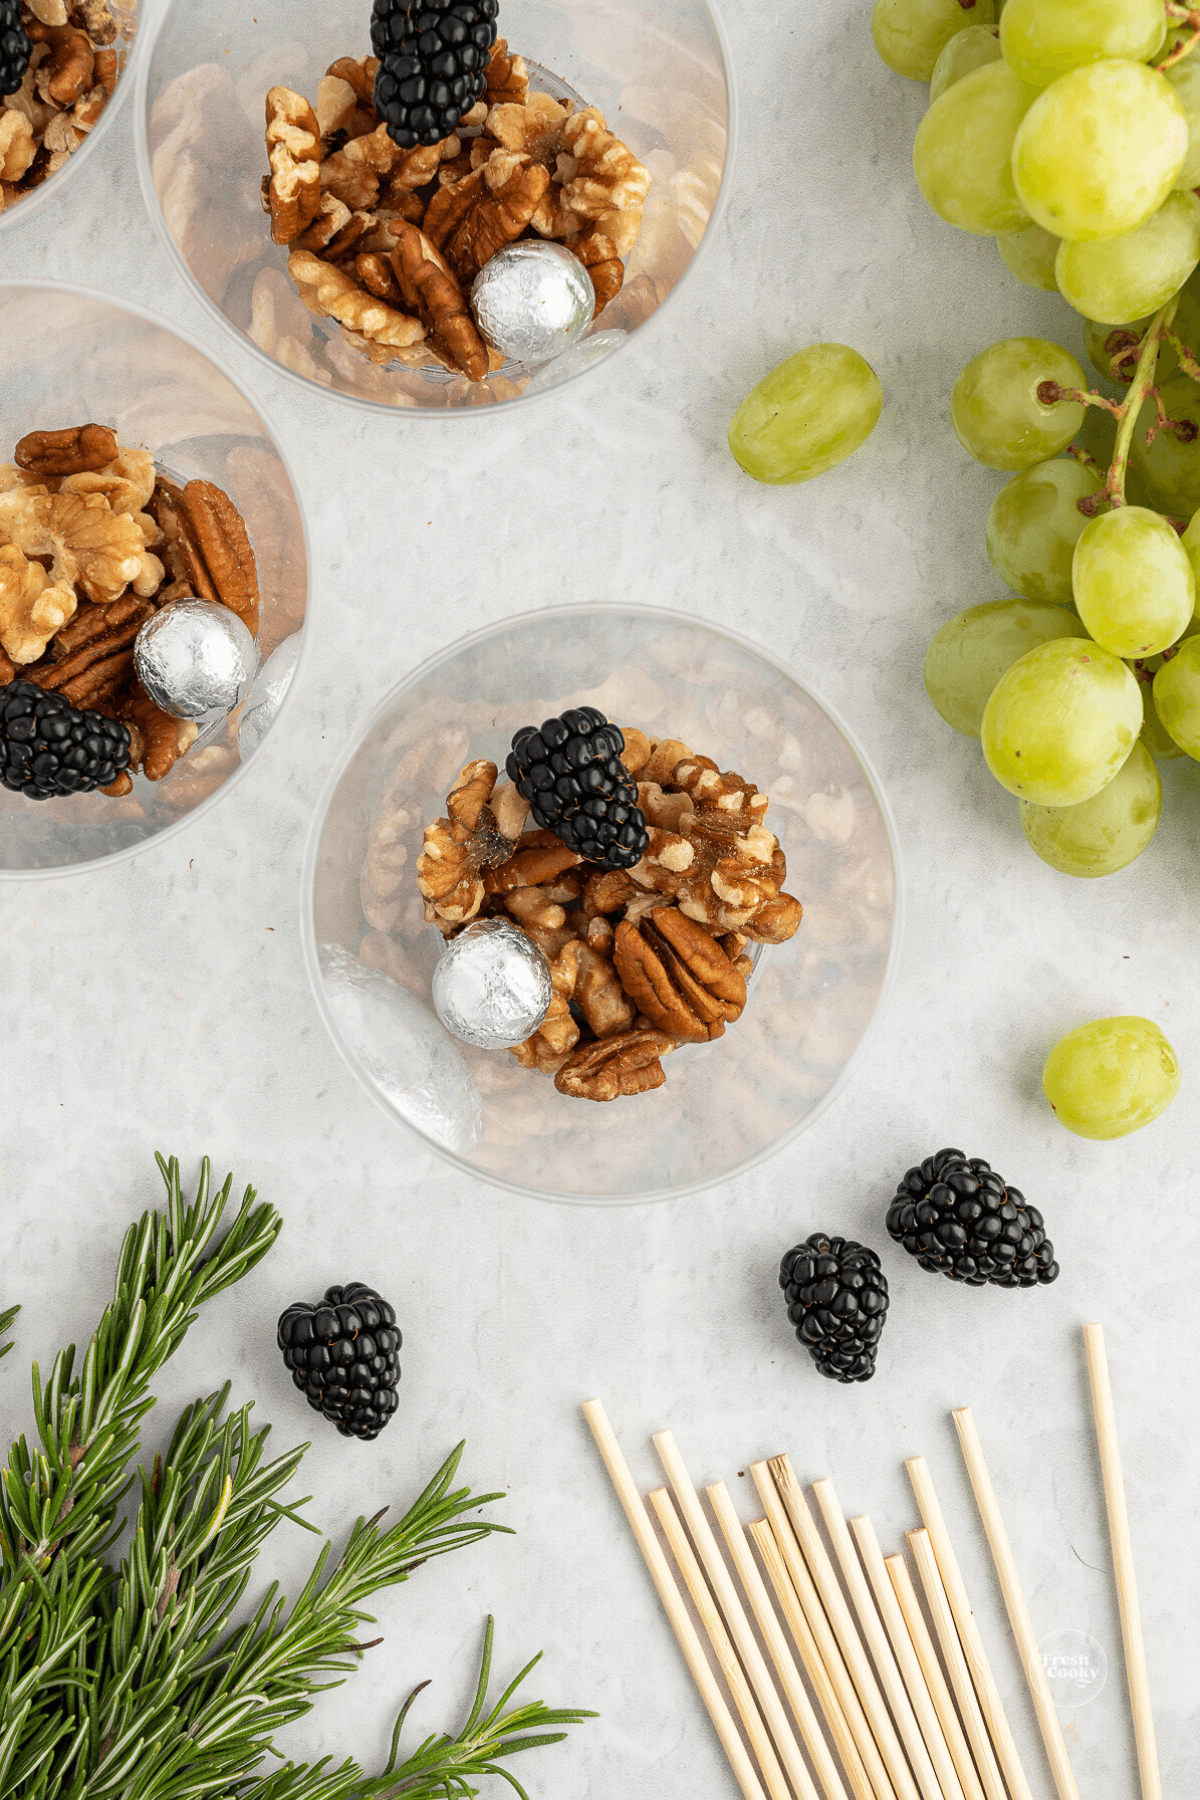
658 69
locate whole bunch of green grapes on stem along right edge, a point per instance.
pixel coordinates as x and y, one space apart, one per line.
1071 134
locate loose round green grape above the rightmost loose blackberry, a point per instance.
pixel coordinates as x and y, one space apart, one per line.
1111 1077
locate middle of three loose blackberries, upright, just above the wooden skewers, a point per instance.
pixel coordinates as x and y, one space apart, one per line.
837 1300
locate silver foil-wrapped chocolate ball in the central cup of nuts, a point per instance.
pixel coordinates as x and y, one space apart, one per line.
492 985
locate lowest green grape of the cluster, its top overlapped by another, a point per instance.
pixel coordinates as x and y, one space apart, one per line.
1102 834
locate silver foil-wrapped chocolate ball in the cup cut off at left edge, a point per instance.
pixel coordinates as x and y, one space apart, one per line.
195 658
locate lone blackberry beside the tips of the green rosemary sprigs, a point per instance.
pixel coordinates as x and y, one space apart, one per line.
343 1358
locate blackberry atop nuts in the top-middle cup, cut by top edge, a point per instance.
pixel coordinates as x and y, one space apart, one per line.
433 64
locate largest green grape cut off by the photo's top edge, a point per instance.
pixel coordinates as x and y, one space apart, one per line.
1046 39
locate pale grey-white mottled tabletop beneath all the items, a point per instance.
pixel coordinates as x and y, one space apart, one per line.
165 1003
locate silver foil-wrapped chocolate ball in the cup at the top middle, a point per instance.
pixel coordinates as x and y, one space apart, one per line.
533 300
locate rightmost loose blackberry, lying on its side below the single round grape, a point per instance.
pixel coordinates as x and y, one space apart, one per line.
960 1219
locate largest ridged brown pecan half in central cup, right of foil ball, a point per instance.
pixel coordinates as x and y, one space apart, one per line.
679 975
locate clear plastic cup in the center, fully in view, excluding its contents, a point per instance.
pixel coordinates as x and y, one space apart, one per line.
812 1005
